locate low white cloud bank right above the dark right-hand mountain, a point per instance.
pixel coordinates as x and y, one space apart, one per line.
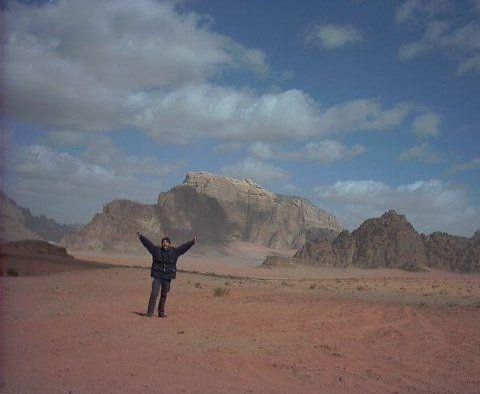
431 205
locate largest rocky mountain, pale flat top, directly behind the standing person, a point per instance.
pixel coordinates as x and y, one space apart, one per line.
219 209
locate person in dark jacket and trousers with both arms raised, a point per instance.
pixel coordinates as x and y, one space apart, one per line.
164 269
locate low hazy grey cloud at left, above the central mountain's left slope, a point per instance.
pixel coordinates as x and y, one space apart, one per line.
51 182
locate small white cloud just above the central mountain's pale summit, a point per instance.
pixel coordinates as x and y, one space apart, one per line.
256 170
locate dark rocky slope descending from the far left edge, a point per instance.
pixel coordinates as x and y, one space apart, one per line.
18 223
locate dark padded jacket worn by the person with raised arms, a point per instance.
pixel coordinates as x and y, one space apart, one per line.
164 261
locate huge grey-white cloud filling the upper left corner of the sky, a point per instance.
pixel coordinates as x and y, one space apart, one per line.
73 65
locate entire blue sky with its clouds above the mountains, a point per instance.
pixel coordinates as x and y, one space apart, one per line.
359 105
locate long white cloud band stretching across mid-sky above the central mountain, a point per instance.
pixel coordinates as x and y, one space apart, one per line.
229 114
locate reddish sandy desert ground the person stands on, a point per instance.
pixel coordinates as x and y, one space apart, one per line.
285 330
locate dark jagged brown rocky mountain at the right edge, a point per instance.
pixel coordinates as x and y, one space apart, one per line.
391 241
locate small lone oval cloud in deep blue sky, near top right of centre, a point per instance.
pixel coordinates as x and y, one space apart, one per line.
331 36
